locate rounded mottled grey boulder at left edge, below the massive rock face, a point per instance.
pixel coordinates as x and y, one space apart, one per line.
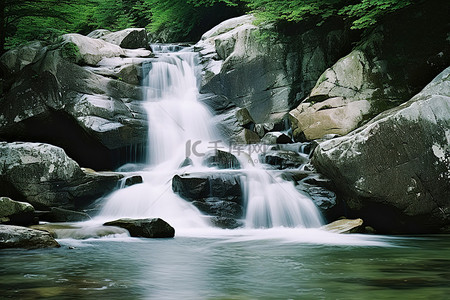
44 176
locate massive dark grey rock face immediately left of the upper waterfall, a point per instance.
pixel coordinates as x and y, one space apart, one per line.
57 99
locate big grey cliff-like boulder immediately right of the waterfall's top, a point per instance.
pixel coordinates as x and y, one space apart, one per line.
264 69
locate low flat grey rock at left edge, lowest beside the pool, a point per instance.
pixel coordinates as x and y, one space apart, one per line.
22 237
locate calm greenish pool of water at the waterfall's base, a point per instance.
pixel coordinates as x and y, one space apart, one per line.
232 266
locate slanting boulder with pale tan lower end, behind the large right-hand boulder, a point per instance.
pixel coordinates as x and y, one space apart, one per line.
387 68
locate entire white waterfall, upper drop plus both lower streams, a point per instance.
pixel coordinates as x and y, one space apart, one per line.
176 119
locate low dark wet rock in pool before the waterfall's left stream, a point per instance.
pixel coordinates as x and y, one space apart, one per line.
148 228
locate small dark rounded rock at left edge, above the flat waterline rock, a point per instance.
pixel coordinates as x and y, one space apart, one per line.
15 212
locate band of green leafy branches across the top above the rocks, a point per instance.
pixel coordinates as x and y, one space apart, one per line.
24 20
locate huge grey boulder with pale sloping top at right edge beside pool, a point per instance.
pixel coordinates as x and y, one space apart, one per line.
394 171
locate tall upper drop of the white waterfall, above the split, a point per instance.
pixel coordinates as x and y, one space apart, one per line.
174 114
